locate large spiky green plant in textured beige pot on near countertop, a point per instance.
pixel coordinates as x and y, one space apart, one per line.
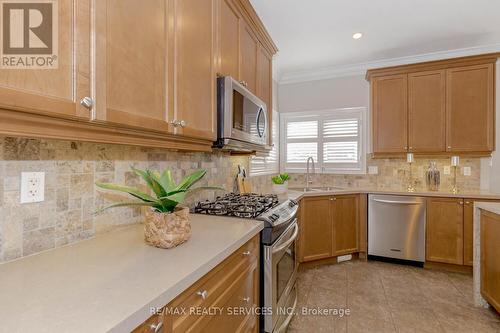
167 223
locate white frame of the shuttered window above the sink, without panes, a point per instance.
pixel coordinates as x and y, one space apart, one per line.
359 113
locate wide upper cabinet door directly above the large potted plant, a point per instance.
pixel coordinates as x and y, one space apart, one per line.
131 63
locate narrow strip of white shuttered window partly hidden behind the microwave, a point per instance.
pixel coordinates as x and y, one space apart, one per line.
268 164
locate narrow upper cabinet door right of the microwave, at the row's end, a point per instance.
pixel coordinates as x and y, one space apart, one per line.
265 85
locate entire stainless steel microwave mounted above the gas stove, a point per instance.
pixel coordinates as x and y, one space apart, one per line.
241 117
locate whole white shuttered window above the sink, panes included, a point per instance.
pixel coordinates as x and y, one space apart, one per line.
334 138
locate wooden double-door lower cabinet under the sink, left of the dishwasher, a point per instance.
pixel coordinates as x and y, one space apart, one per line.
329 226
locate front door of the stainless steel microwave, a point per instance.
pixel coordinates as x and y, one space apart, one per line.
245 115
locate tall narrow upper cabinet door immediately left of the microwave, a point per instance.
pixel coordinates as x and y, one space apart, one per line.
193 46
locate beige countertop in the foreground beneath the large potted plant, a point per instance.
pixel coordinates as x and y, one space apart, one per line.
109 283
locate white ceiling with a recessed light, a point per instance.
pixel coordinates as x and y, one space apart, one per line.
312 34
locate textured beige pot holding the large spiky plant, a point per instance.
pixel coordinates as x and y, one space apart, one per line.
167 230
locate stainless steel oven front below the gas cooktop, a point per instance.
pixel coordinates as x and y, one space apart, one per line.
280 273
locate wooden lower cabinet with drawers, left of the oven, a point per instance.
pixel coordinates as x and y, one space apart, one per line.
232 284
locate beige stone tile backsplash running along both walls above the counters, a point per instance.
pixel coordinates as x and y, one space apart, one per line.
71 168
